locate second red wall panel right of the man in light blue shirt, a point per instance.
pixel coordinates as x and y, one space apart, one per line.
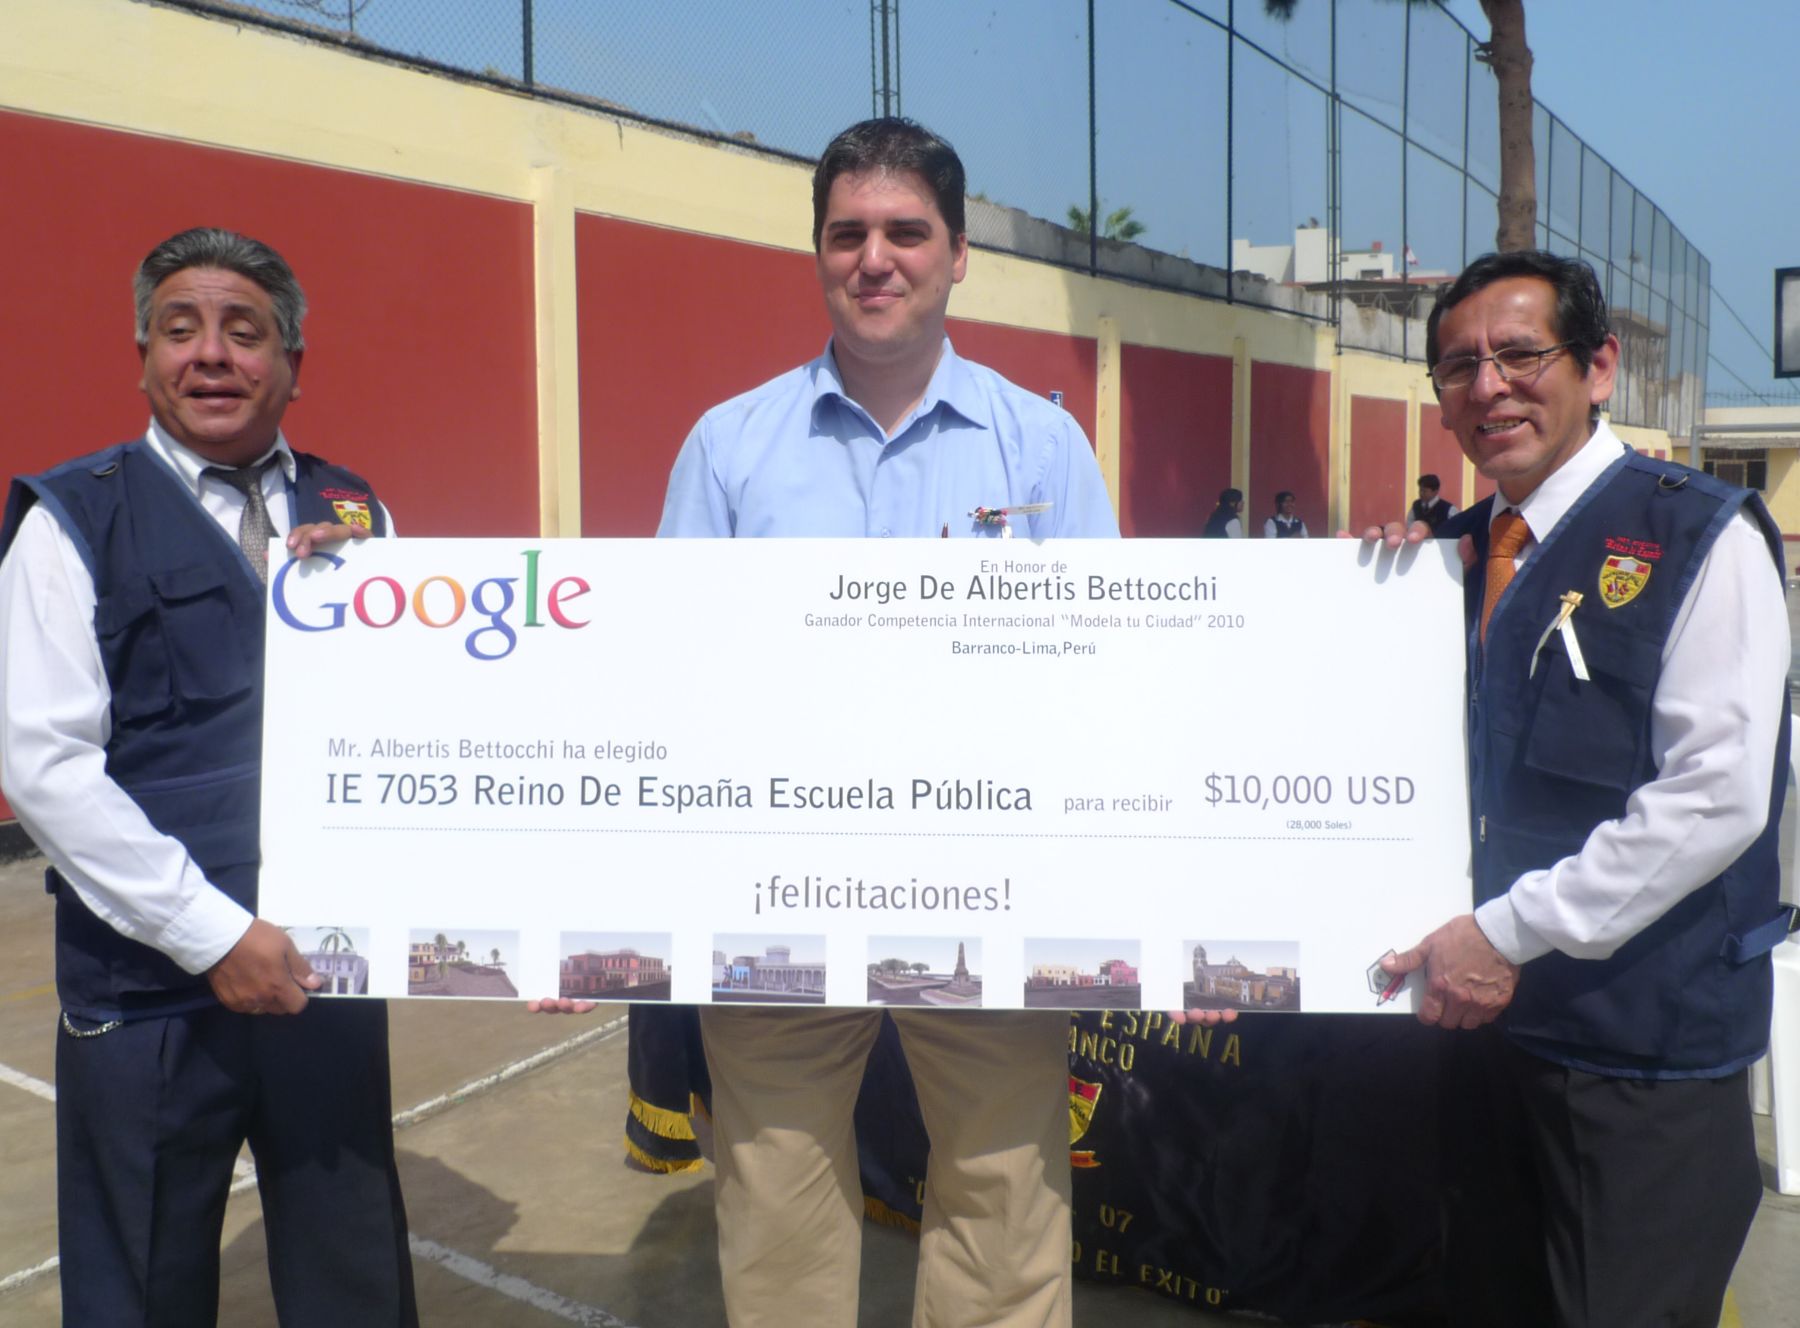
1174 440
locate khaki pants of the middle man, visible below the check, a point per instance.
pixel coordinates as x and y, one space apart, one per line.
994 1091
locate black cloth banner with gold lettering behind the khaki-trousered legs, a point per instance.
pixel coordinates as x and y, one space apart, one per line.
1284 1165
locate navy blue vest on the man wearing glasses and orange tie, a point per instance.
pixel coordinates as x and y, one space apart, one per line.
1552 757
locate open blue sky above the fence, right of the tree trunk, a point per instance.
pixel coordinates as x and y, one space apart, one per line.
1696 107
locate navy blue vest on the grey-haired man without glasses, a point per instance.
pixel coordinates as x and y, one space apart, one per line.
179 624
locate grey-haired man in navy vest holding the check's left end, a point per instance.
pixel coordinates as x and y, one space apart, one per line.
132 589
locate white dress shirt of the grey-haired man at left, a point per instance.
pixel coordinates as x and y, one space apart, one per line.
57 719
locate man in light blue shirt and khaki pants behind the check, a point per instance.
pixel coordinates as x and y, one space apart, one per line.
890 435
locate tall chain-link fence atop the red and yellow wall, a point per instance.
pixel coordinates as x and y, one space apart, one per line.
1342 163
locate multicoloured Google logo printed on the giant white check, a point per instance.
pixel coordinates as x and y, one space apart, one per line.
440 602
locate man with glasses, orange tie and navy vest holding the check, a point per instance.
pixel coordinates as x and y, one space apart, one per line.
1628 728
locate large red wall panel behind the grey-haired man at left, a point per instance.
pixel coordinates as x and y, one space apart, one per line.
420 366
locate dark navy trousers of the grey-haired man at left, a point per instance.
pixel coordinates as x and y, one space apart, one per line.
150 1118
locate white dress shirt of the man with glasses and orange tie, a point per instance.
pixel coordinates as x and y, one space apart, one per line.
1714 722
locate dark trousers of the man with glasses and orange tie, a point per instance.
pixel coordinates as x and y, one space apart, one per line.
1585 1201
